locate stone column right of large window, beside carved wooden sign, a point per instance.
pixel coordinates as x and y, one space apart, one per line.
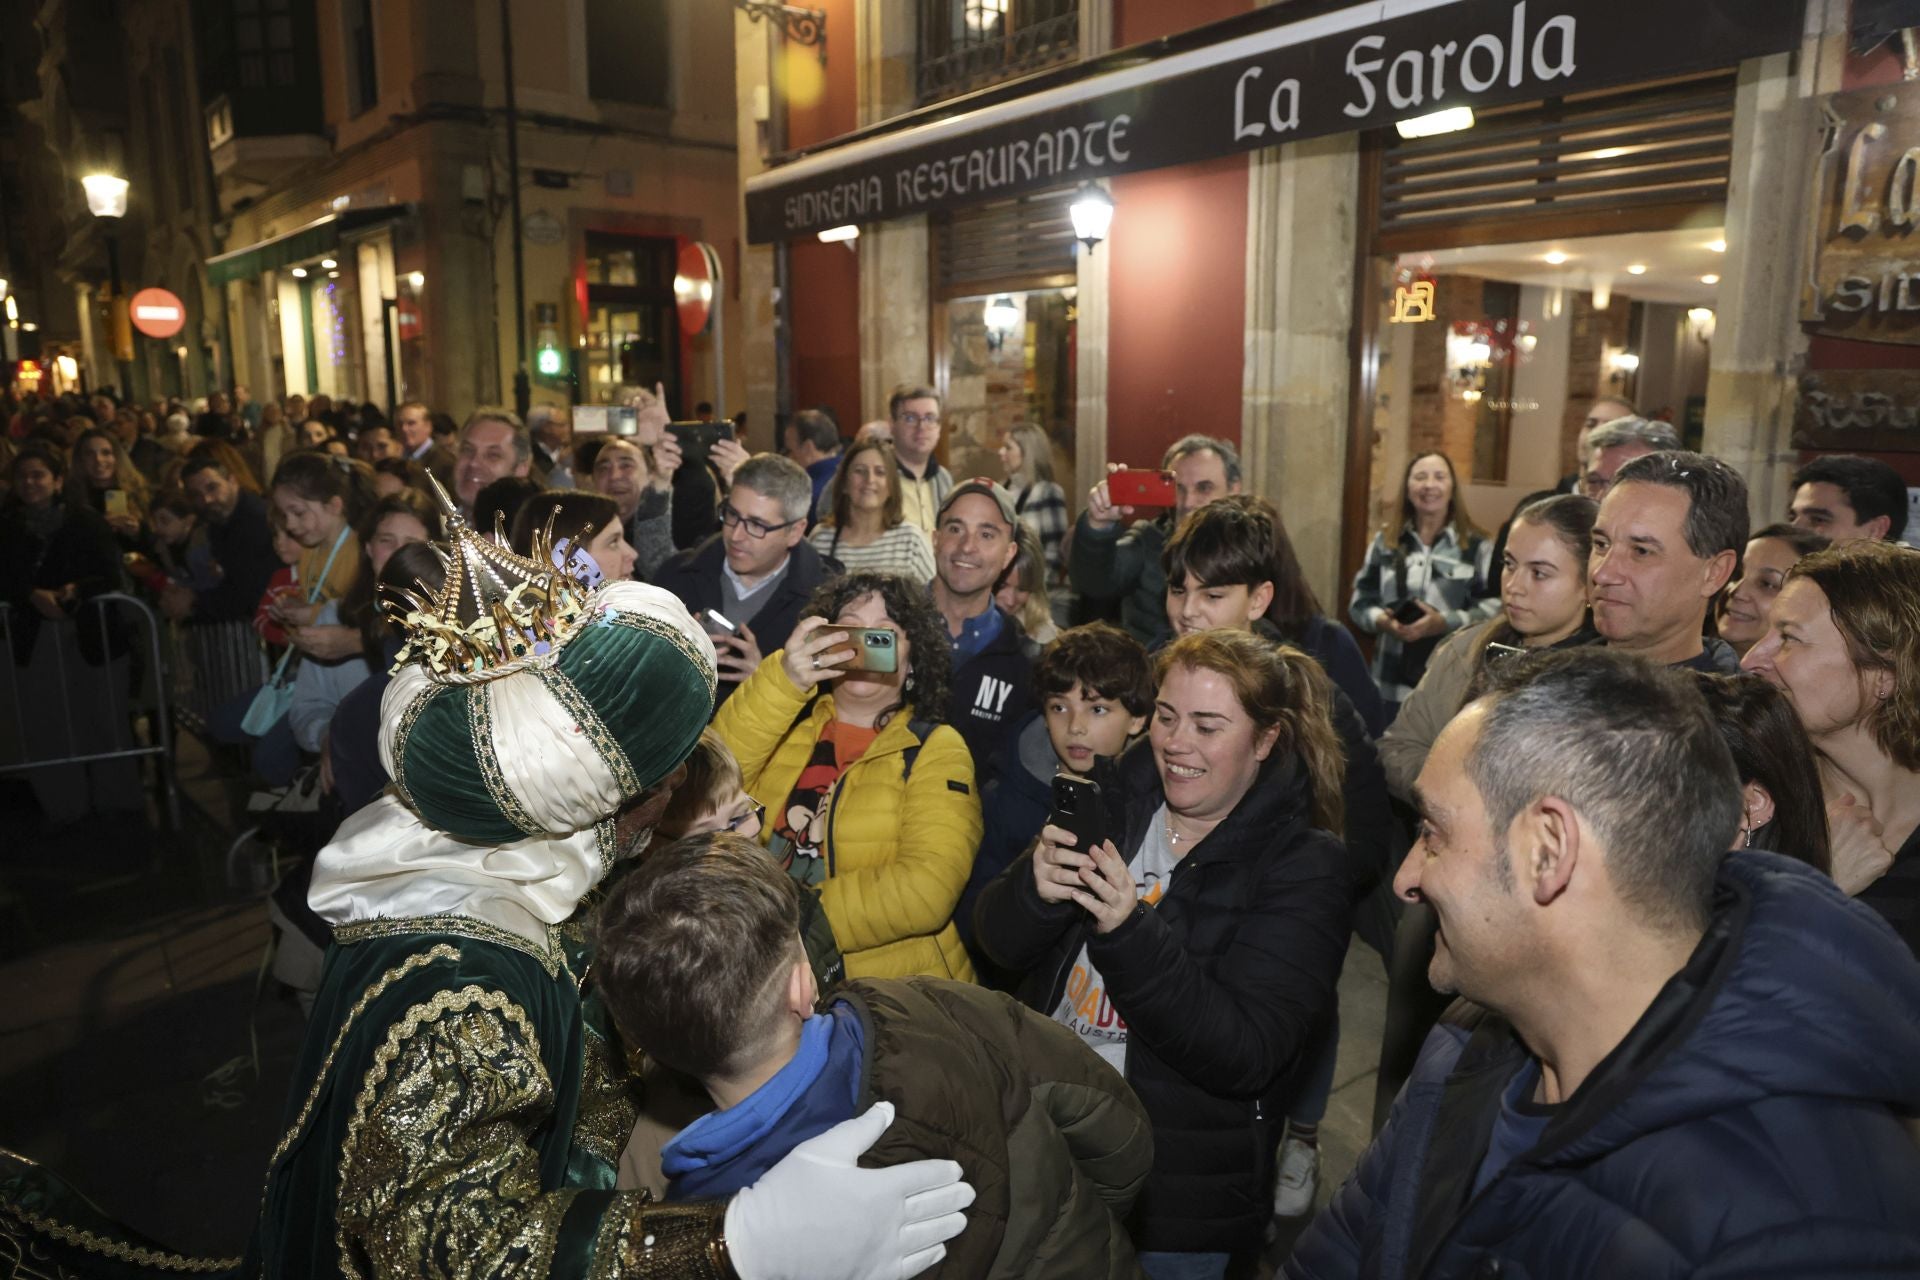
1760 348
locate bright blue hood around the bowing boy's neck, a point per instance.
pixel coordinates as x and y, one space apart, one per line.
727 1150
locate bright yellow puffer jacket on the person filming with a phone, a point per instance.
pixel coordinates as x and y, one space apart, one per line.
898 851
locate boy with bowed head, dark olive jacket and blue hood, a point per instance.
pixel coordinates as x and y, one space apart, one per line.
702 968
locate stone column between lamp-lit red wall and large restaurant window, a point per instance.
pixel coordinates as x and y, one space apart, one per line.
1301 247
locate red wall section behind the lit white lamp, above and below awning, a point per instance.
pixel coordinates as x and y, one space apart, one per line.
1176 281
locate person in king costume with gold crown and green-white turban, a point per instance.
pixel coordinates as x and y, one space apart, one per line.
462 1099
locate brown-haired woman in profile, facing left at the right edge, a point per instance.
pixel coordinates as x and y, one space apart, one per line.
1844 648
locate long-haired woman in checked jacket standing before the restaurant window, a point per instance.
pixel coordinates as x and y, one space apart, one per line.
1426 577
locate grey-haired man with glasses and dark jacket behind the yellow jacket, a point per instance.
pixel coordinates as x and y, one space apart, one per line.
757 571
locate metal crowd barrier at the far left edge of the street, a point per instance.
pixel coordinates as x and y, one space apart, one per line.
70 711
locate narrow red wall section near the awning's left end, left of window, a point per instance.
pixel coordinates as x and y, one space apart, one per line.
825 279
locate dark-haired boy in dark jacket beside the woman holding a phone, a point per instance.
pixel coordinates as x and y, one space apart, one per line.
1095 688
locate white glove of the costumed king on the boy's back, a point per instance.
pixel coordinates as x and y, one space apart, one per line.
817 1216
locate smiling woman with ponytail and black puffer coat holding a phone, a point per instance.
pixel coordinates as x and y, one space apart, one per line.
1203 960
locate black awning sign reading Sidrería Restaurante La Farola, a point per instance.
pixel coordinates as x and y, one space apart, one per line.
1356 68
